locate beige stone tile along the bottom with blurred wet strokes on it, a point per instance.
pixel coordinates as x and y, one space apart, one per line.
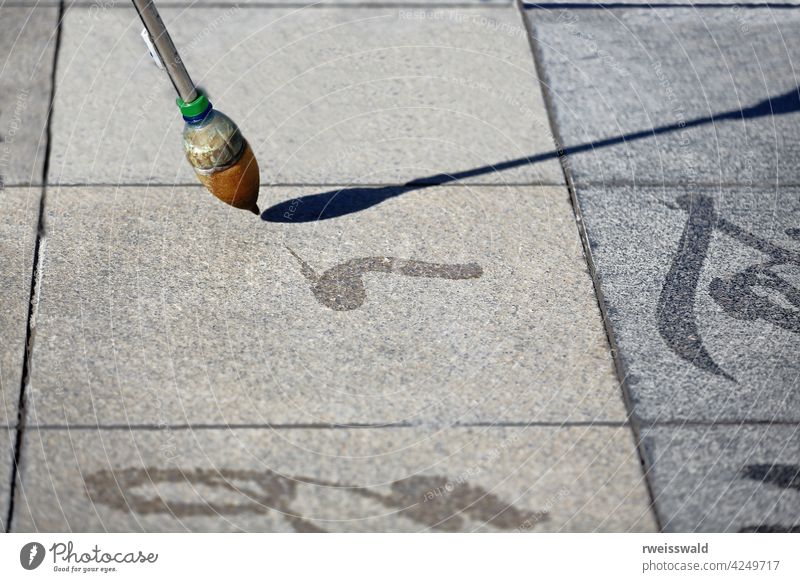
469 479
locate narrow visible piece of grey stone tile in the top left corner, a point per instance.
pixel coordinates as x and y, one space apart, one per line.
26 62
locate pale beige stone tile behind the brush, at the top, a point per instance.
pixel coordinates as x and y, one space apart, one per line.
329 95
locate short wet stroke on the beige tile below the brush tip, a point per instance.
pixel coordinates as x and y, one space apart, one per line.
341 287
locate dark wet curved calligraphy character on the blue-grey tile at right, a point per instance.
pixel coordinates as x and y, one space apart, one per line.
738 295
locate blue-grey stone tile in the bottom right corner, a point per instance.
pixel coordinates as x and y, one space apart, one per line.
726 478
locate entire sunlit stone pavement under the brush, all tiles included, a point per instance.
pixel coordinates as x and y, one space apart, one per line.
518 268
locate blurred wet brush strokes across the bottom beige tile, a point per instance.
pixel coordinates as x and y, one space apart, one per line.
433 501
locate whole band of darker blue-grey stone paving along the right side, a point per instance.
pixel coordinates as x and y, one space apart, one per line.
680 129
